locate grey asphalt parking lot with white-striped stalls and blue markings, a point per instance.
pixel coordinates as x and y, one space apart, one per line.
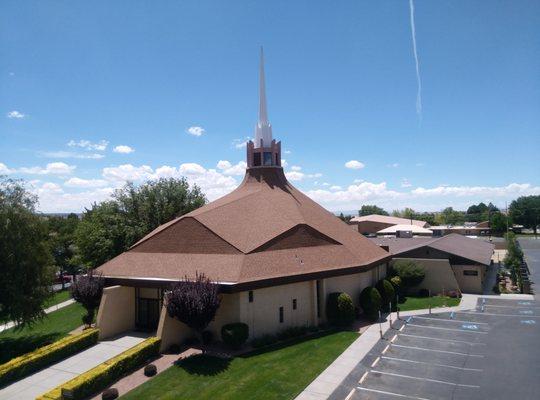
490 352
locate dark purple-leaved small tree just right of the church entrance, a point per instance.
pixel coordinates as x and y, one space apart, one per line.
194 303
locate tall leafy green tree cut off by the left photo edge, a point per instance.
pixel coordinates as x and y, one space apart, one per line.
25 261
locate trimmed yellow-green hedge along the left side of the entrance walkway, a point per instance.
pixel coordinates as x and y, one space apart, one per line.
26 364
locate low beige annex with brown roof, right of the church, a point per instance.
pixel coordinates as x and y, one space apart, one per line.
452 262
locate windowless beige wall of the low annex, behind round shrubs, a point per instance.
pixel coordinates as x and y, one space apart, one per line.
439 275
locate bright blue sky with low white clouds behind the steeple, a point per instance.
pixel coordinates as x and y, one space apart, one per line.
78 79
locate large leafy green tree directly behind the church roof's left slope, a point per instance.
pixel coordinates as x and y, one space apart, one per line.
111 227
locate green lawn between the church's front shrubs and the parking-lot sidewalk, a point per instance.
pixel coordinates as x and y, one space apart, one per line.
279 374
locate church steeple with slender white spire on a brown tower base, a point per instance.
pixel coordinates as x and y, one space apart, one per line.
264 152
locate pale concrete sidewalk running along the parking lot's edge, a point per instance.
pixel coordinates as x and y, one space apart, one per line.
332 376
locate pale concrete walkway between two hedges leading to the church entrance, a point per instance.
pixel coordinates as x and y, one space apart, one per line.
48 378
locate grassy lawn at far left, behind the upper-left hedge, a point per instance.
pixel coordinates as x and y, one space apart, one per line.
15 342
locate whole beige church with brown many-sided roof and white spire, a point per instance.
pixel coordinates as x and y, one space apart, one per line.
273 251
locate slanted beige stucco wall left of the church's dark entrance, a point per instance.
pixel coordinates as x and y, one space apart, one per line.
116 312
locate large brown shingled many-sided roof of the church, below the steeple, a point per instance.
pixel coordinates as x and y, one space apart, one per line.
265 229
